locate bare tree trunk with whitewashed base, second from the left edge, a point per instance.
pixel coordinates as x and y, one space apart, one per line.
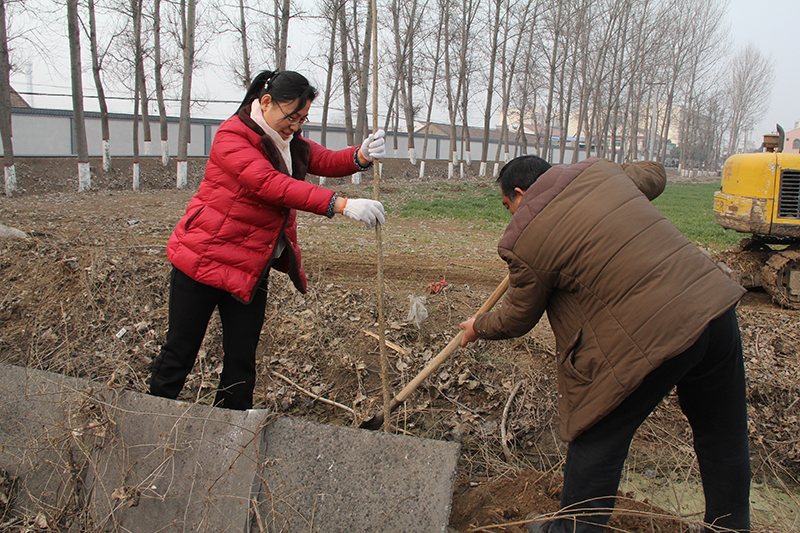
79 125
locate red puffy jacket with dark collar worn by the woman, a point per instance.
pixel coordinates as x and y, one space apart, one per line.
246 202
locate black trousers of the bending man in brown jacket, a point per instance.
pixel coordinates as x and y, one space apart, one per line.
710 384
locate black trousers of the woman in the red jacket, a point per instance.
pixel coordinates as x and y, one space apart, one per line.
190 307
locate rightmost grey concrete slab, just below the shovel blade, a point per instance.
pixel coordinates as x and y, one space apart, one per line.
326 479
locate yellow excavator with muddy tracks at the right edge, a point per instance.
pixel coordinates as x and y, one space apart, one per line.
760 196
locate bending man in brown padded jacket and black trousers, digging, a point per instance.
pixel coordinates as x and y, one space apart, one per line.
636 310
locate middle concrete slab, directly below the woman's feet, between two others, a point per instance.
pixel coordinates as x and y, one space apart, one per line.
174 466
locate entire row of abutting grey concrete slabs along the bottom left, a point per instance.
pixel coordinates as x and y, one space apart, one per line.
143 464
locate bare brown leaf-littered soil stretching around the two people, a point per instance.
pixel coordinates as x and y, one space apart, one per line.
85 294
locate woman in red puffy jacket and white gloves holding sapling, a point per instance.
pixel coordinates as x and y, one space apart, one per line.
242 223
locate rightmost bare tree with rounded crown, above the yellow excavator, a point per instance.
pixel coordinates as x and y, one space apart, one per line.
748 88
